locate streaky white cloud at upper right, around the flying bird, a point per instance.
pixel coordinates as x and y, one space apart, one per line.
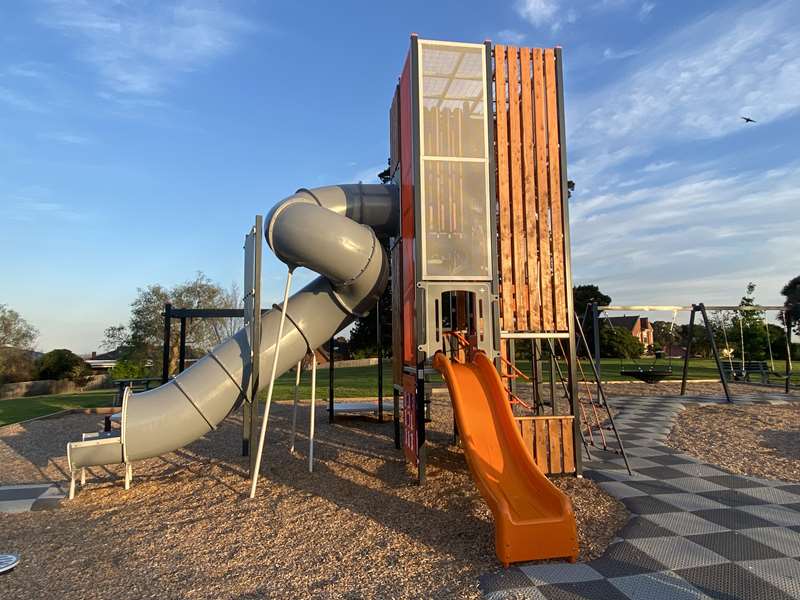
695 85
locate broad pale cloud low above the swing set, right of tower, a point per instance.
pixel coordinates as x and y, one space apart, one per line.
705 235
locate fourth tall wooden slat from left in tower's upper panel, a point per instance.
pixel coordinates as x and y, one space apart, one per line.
542 195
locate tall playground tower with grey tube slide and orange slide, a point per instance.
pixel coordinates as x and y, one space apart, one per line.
477 132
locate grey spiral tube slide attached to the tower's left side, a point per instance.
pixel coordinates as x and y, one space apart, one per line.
332 230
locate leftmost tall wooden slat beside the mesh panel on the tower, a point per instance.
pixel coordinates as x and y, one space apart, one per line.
507 288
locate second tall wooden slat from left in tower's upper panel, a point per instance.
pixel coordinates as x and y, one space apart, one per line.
517 205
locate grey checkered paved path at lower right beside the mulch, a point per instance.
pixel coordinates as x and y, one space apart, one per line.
696 531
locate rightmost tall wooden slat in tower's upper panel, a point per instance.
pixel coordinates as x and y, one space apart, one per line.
554 163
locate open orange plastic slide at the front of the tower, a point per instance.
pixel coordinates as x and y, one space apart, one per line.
533 518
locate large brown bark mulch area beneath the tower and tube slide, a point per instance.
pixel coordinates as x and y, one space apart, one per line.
357 527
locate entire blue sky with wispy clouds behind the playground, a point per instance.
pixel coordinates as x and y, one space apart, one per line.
138 140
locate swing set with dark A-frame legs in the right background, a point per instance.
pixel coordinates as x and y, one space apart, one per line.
729 371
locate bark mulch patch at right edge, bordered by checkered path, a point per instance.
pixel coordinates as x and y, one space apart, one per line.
758 440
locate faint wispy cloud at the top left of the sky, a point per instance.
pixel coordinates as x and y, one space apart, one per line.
139 48
